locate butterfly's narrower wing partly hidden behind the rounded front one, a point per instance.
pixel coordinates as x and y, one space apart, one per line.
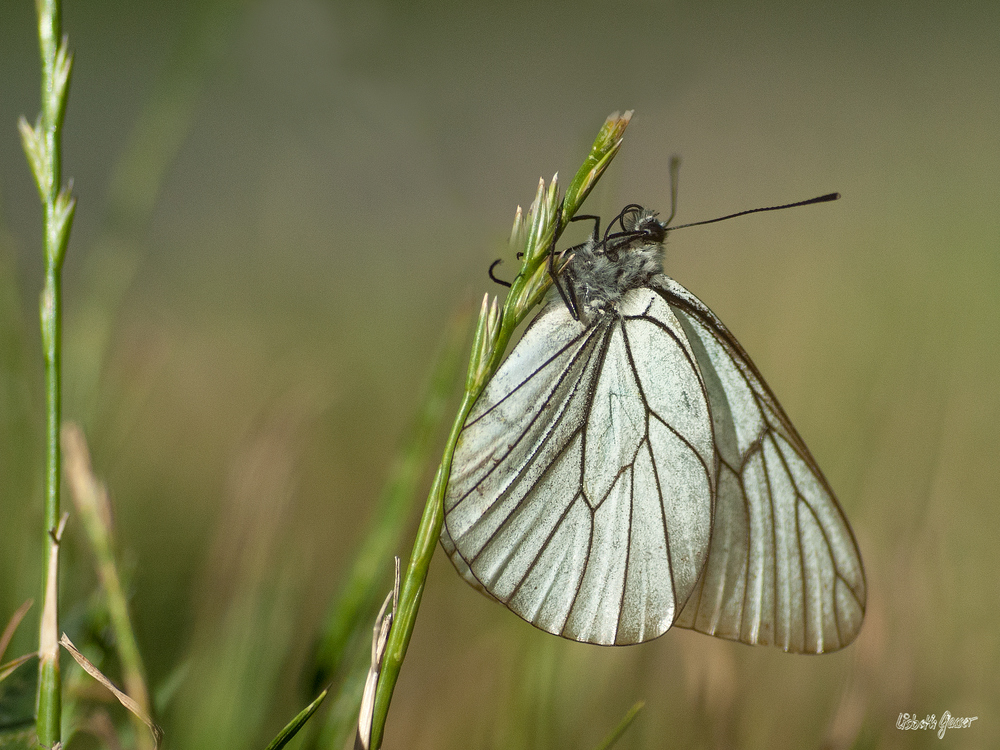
783 567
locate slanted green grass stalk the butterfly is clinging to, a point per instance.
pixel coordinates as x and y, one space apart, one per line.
534 237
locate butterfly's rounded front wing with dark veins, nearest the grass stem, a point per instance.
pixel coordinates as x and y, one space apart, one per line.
581 487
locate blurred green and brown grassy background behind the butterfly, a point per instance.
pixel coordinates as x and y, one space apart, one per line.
282 204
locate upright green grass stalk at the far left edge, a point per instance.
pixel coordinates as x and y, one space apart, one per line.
43 148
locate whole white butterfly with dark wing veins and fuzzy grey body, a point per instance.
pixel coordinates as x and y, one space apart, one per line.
627 469
